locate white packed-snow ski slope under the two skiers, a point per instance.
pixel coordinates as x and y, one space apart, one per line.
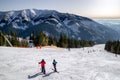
89 63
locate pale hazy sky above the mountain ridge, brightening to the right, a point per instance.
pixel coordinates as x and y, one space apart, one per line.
88 8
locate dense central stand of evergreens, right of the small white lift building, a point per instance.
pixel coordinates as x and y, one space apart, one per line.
63 41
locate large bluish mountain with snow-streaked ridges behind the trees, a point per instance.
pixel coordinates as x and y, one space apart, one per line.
53 23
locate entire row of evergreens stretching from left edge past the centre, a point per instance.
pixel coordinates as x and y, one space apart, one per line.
42 39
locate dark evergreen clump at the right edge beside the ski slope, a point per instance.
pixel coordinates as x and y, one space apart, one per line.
113 46
